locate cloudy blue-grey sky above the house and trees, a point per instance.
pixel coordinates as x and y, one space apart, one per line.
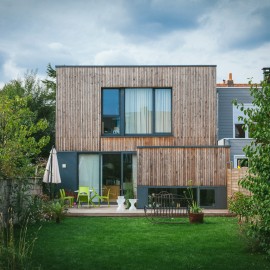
232 34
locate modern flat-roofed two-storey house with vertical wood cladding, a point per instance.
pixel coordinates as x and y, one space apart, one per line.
149 128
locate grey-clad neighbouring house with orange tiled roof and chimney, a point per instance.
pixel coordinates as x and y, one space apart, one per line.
230 129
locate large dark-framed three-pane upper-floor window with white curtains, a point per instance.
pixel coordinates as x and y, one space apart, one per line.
136 111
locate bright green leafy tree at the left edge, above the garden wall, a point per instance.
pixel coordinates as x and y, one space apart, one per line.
18 146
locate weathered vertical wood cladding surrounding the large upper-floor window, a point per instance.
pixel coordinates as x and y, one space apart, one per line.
78 121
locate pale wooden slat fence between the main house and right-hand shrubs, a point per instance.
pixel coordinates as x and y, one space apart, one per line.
233 177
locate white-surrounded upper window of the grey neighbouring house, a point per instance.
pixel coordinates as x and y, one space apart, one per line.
239 129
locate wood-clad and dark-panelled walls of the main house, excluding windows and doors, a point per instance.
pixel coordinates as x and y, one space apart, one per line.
190 153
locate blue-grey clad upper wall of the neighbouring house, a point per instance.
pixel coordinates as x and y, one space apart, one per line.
225 108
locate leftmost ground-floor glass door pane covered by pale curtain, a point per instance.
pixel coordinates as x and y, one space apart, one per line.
89 170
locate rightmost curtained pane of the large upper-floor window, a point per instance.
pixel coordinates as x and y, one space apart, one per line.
163 107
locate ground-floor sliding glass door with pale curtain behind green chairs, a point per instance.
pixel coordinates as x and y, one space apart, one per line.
114 171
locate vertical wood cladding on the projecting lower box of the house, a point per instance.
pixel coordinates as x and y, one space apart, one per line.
176 166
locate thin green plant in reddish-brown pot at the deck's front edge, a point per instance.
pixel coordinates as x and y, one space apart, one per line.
196 214
